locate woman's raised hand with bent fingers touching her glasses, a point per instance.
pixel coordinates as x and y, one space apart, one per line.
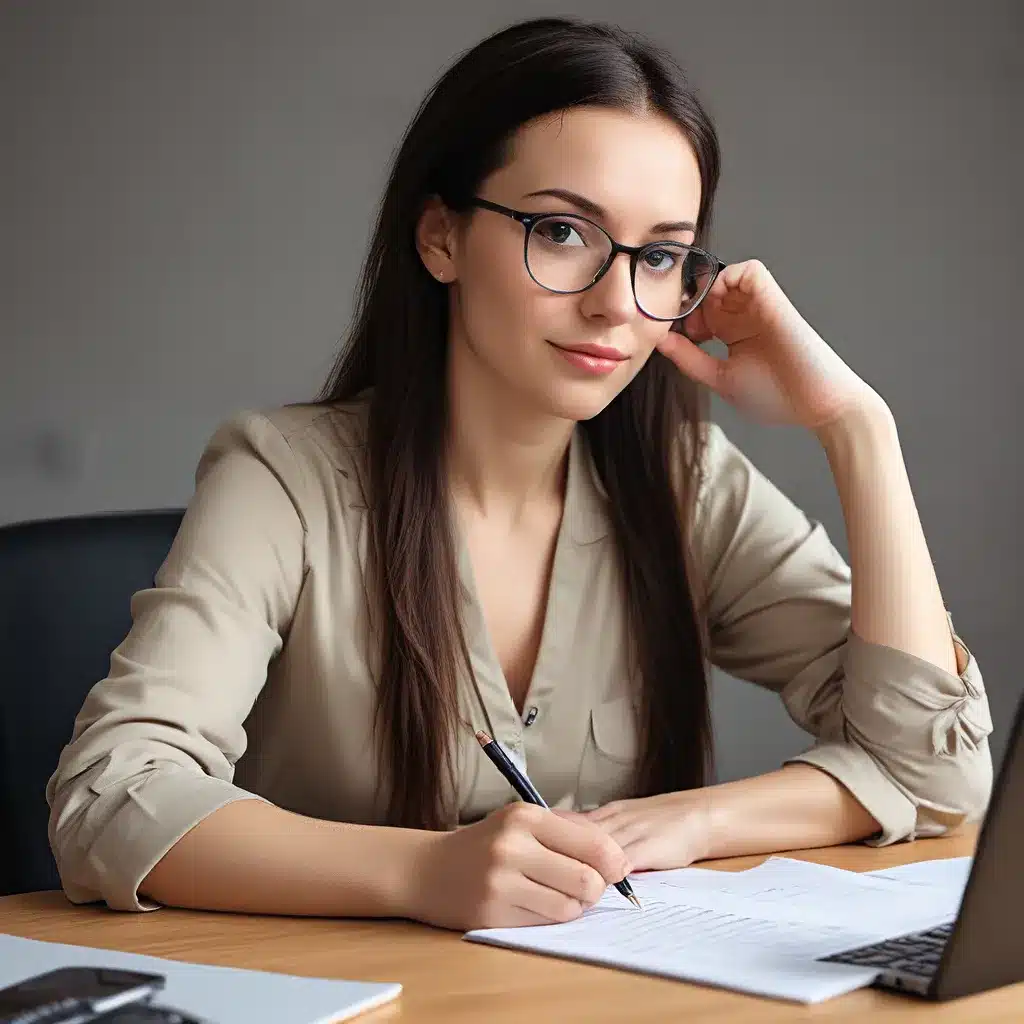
779 369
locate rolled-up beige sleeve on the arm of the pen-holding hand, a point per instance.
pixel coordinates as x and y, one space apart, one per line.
154 748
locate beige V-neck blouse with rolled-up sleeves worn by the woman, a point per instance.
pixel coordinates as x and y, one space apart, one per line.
247 671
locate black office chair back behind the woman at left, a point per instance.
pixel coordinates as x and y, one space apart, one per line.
66 587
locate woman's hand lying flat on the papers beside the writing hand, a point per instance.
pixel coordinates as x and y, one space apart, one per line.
672 830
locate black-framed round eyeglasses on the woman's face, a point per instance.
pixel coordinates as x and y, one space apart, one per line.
568 254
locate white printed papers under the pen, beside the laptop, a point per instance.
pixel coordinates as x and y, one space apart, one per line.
759 931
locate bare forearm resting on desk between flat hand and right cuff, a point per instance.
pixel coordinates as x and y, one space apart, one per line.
796 807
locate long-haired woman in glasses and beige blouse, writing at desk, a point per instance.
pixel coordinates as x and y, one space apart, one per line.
506 511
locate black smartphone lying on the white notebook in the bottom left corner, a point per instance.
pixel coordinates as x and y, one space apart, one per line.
74 995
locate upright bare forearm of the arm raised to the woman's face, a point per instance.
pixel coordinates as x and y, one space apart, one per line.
897 596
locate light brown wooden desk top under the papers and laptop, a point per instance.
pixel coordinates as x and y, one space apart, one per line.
448 980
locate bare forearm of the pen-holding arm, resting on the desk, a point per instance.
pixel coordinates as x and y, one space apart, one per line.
253 858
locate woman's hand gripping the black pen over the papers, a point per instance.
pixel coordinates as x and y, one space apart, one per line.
521 866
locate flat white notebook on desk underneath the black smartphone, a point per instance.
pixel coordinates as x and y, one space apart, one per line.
219 995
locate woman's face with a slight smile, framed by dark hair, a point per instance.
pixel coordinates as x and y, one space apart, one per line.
629 174
